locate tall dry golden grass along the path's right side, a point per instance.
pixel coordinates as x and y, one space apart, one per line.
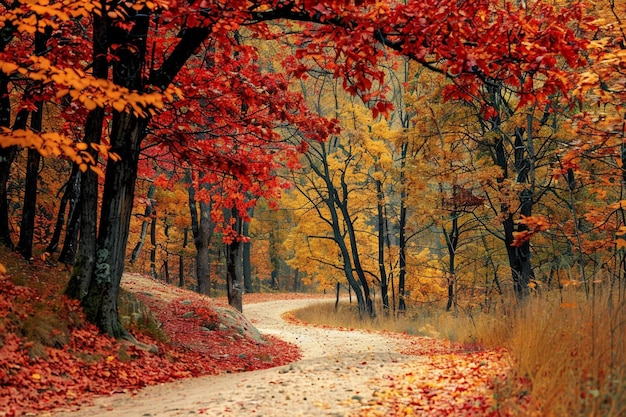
569 357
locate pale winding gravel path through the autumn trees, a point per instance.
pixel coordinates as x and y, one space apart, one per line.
333 378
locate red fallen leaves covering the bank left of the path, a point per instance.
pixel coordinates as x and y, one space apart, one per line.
91 364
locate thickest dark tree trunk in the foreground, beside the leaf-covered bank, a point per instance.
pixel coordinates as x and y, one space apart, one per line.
128 130
